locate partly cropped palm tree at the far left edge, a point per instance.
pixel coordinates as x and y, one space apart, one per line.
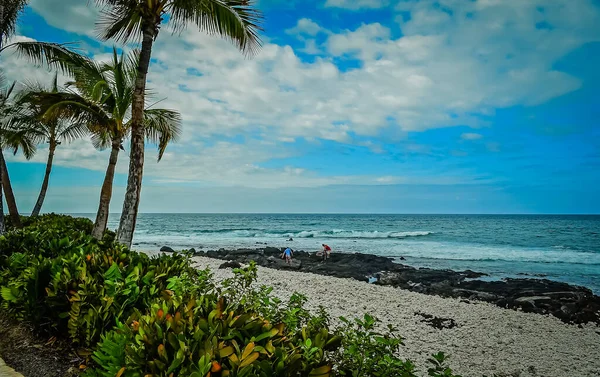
12 139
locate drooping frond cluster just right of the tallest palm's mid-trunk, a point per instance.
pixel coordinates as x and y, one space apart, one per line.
162 127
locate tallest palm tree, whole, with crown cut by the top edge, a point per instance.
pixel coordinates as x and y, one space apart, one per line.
127 20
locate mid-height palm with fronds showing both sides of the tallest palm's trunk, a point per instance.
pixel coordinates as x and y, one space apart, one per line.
100 98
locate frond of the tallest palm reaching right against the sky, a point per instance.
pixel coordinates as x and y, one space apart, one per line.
236 20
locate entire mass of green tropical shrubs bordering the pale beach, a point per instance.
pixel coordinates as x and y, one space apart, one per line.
133 315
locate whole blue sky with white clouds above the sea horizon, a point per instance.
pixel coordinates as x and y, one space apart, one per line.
352 106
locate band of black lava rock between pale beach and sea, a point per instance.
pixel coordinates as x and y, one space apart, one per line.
569 303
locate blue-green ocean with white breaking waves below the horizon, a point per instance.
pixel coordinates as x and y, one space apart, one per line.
564 248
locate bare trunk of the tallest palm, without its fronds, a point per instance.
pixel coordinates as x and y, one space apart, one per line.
136 157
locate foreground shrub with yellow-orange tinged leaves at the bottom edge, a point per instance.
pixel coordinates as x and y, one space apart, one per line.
207 335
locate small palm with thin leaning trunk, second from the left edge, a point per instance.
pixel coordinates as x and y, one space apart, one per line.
53 131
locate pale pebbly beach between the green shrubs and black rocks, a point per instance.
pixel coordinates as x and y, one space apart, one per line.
488 340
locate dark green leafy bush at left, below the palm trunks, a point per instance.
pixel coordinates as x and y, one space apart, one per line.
81 288
